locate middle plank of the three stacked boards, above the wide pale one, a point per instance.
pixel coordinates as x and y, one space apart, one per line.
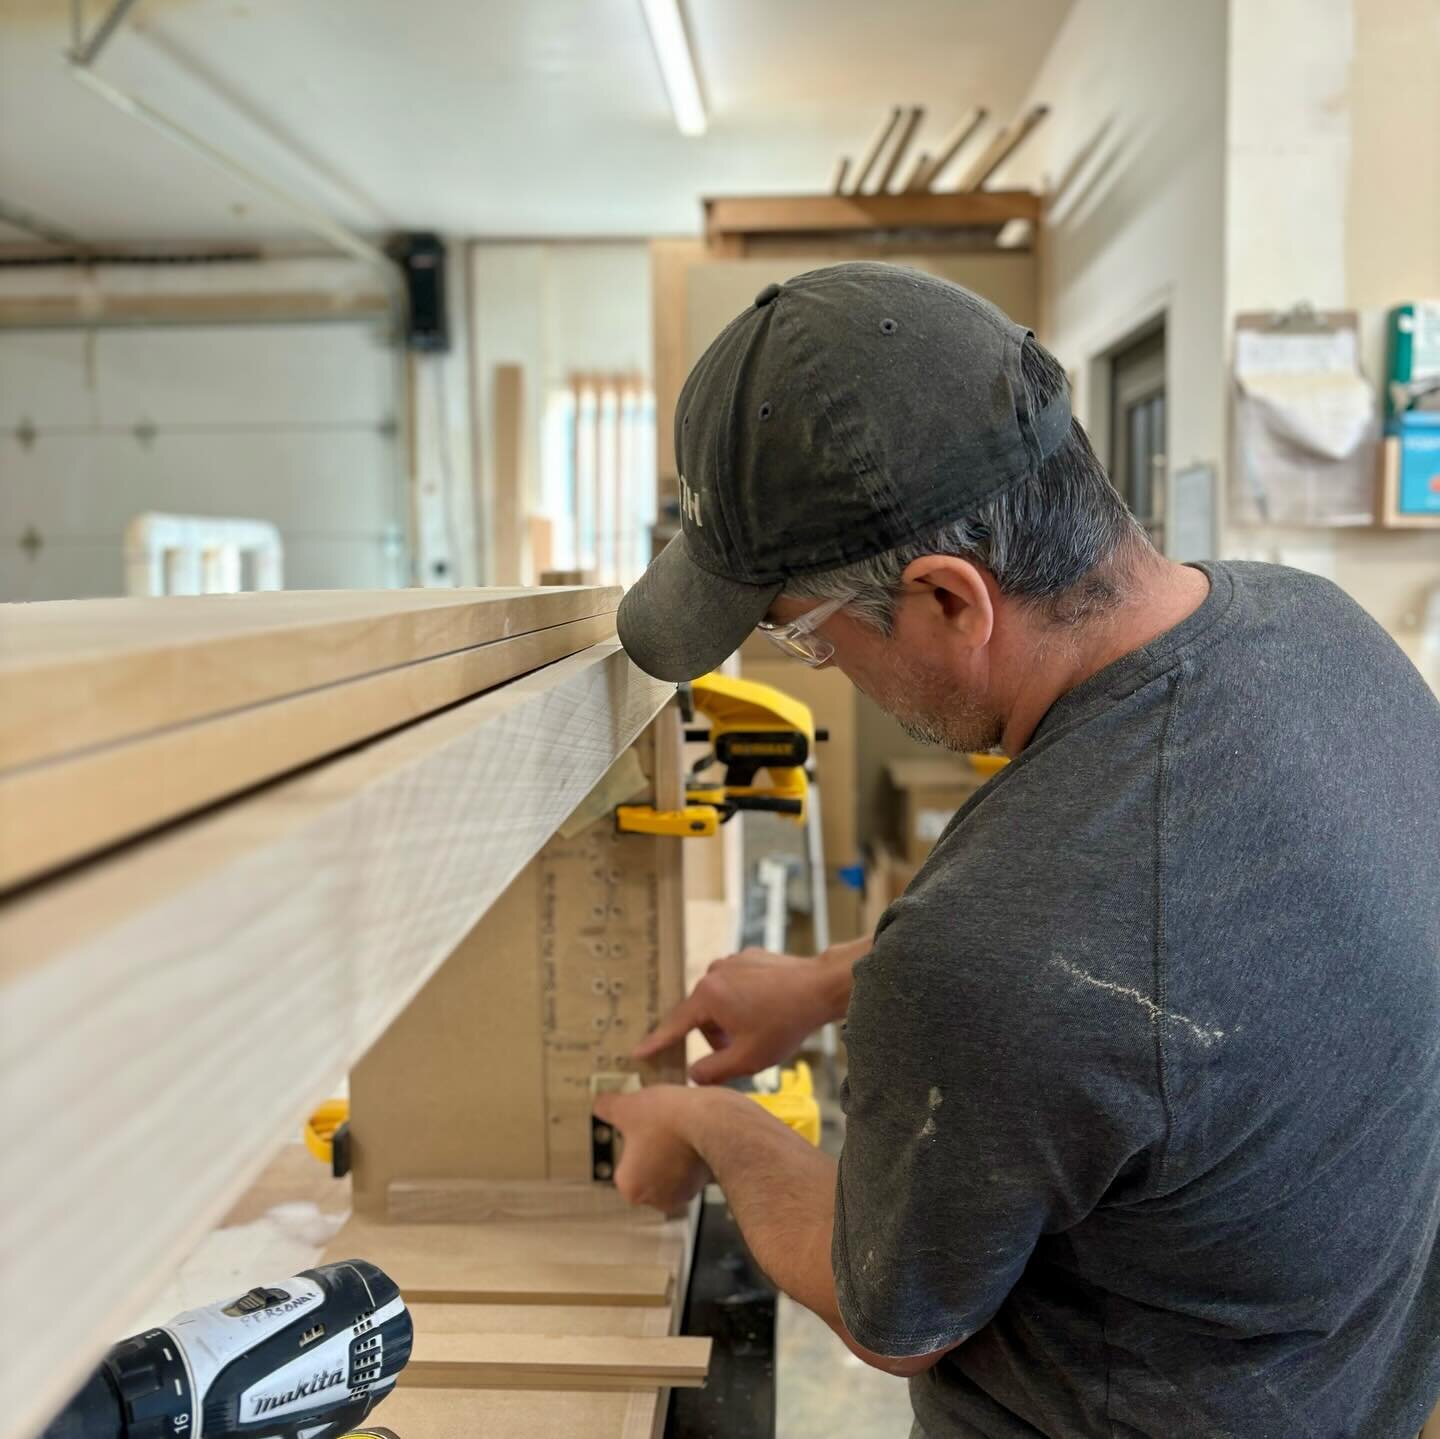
55 813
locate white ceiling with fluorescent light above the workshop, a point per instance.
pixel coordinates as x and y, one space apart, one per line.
479 117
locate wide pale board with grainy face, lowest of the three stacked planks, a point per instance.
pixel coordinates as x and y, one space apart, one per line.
171 1012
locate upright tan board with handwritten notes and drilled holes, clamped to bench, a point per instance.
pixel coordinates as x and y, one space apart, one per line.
487 1075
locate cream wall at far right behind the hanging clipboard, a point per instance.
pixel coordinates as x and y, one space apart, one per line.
1334 197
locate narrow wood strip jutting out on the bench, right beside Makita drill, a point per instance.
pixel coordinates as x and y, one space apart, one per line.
487 1360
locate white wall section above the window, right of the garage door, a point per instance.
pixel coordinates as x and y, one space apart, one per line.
554 309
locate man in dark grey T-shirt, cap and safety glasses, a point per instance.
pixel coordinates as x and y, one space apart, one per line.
1144 1067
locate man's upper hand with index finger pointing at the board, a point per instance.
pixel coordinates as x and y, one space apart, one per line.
757 1009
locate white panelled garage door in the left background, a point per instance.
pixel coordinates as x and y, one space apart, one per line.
283 423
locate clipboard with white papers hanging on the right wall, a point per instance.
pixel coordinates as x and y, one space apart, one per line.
1307 424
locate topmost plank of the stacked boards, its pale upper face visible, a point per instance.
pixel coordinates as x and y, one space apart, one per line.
93 672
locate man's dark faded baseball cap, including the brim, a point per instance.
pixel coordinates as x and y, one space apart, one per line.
846 413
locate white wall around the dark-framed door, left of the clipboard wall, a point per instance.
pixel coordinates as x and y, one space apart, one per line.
1133 165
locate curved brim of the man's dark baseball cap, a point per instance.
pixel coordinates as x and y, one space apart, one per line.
679 622
